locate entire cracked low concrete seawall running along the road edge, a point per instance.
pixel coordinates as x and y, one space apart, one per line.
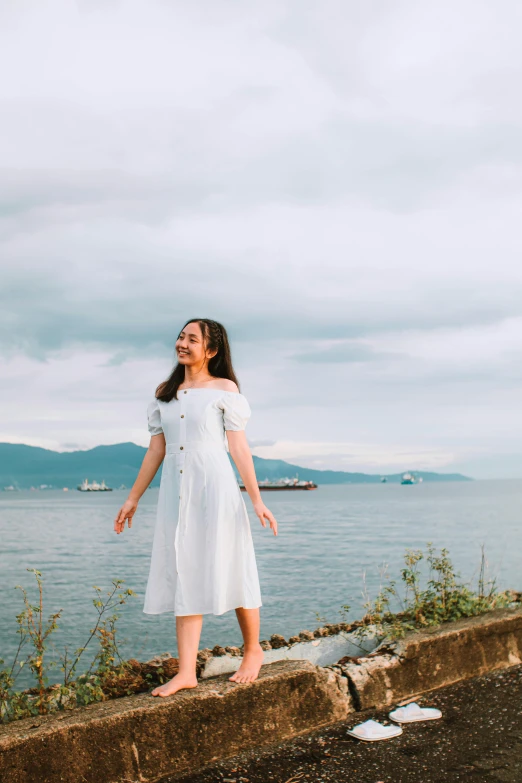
141 738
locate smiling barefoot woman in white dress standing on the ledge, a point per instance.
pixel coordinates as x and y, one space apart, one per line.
203 559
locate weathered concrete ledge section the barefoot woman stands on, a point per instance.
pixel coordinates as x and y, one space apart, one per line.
141 738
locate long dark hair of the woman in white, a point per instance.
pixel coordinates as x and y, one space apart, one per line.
220 366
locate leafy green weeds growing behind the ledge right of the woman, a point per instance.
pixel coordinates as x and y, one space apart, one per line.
443 599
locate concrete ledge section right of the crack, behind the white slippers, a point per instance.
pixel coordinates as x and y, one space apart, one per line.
421 662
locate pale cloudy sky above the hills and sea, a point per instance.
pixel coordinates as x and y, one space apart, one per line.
338 182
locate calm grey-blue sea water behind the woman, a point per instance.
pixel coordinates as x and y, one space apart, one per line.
333 547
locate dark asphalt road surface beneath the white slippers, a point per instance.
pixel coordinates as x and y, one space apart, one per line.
478 738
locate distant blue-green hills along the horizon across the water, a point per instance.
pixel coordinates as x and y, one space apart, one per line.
30 466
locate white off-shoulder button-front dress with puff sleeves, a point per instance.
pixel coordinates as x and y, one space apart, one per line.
203 559
